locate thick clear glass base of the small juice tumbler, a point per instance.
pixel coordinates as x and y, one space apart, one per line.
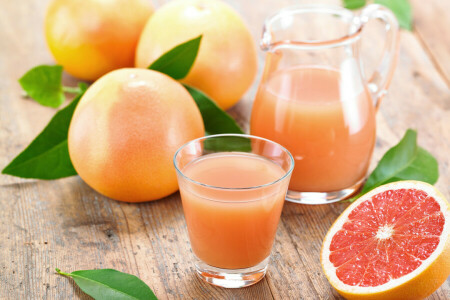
231 278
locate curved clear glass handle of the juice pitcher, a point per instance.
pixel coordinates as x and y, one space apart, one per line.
381 78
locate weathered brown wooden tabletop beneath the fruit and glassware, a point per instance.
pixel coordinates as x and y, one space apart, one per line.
65 224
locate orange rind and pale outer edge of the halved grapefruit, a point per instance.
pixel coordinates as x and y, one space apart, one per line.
419 287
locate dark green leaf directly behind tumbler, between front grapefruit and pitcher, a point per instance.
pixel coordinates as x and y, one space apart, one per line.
215 119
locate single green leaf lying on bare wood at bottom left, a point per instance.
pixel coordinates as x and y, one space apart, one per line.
110 284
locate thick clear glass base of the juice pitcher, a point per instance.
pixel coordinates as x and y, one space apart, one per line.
322 197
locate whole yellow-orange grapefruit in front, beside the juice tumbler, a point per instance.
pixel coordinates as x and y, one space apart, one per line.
126 129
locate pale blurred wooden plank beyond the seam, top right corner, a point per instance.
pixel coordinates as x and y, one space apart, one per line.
432 26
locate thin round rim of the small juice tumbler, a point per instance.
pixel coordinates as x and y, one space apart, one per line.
286 174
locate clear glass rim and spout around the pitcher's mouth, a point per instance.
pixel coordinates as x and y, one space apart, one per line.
349 38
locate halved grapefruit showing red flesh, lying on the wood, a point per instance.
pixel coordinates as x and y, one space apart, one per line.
392 243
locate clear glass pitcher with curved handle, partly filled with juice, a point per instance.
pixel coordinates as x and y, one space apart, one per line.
314 100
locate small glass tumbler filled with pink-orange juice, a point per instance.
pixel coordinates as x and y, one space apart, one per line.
232 188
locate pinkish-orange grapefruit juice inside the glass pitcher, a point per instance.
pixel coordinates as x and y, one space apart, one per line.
324 118
